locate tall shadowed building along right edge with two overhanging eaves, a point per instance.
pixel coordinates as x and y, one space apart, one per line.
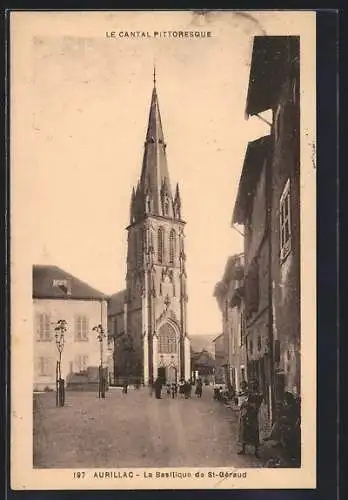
268 205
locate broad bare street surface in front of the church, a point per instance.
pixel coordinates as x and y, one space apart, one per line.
136 430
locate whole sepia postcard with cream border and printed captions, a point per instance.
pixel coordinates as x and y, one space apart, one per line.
163 249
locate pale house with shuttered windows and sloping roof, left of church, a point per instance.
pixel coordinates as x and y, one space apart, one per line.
57 295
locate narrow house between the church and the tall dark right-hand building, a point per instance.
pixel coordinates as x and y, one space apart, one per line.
229 293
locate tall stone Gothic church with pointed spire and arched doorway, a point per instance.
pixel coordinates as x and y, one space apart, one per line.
148 320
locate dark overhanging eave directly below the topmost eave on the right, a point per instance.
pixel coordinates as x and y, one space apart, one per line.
256 153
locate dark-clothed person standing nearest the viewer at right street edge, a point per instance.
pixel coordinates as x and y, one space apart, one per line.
249 419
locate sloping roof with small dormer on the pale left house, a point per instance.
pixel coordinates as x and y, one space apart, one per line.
51 282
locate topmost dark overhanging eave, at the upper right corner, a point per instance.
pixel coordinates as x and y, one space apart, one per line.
271 58
